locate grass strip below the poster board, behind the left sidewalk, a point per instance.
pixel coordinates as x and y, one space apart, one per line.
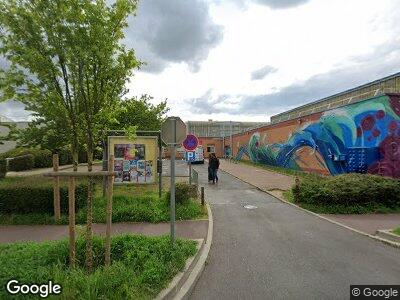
131 203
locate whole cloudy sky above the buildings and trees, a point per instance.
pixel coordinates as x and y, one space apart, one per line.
246 60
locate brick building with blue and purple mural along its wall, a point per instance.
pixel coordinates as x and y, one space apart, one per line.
357 130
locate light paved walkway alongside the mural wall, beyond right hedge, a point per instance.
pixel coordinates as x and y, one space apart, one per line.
261 178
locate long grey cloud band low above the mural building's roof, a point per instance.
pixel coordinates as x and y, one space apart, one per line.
383 62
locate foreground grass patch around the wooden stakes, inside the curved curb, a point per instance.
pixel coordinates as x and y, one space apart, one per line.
141 267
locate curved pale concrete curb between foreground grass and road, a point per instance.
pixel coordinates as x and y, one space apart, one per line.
184 282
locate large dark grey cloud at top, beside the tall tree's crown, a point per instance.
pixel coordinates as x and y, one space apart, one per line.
172 31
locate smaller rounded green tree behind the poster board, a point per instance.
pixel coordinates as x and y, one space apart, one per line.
141 113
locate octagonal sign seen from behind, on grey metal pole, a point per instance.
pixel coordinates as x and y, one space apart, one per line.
173 132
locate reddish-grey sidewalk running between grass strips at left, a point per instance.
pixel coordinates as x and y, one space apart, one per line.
196 229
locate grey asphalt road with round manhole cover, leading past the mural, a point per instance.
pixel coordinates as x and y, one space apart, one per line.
279 252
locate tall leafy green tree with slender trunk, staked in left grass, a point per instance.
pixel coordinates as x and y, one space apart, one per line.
68 65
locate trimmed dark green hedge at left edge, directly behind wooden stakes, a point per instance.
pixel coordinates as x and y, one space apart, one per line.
35 195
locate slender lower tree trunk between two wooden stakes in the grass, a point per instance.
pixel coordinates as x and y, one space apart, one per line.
89 221
